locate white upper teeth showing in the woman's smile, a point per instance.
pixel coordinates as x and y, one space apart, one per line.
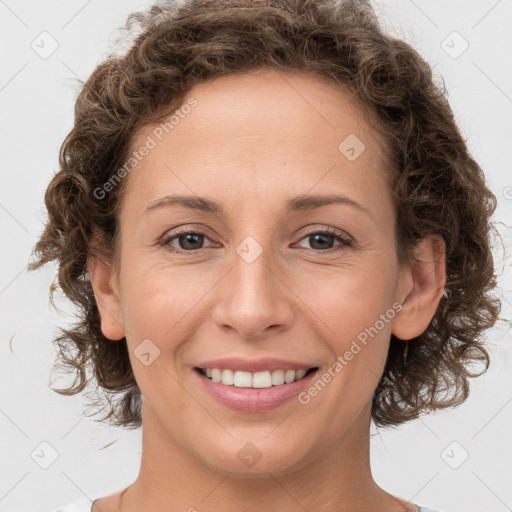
263 379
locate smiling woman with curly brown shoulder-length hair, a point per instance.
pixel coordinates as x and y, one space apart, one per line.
275 233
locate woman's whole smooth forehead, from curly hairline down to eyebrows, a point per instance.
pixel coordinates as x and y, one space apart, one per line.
260 130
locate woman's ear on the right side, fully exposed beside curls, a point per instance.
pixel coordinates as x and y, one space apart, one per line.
424 278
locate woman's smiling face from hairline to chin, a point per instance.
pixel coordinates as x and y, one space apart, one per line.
257 279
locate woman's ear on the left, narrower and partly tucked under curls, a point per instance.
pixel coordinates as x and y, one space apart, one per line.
106 293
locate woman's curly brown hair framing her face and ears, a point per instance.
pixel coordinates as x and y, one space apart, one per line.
438 188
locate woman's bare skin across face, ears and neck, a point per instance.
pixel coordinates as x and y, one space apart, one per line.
252 142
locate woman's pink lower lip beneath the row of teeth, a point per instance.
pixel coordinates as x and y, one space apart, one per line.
253 399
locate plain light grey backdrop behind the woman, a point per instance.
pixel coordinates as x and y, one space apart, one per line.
37 96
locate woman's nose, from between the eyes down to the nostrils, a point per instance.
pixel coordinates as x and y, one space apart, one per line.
253 299
